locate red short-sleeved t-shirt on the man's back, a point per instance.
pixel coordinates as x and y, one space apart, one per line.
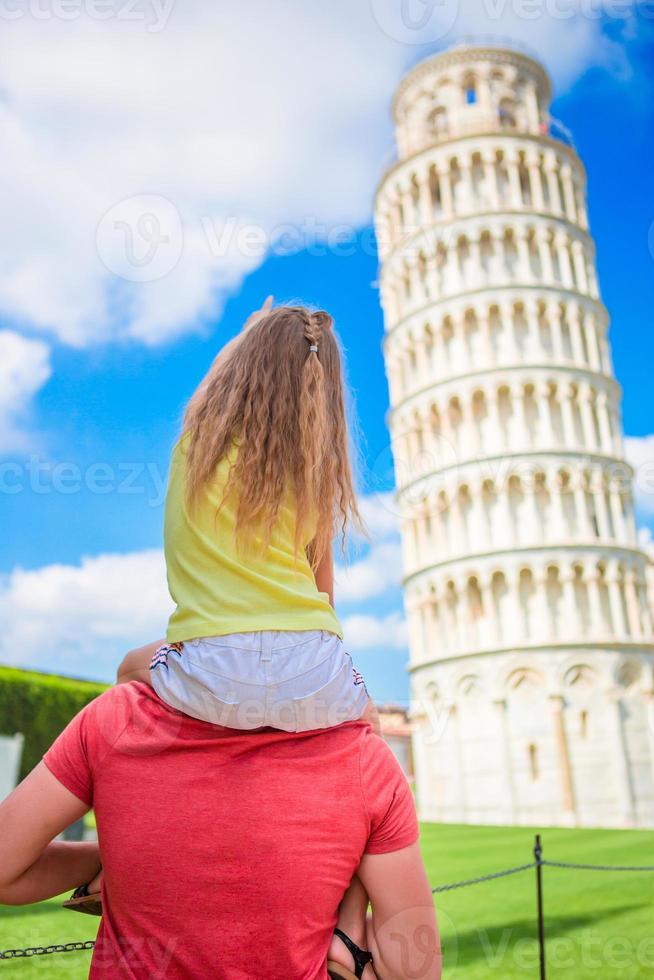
225 853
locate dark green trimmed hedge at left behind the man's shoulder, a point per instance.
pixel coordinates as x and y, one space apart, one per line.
40 706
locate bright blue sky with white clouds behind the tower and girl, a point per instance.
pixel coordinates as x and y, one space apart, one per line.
96 371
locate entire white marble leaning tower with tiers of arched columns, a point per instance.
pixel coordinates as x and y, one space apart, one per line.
530 632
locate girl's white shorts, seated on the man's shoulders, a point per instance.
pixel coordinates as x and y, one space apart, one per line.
294 681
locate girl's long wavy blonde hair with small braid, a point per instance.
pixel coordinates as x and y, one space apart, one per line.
277 391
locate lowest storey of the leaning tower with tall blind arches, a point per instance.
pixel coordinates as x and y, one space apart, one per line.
561 738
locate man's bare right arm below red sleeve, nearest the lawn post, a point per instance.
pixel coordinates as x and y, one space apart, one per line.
403 933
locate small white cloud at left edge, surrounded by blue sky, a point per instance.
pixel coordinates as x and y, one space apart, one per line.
24 369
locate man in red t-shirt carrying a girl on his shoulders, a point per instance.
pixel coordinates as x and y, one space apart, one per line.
225 854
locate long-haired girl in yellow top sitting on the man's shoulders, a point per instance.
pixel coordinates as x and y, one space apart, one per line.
259 484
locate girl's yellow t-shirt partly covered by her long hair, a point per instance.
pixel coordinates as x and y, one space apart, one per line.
218 589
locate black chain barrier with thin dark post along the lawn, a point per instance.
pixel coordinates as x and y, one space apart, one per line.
538 863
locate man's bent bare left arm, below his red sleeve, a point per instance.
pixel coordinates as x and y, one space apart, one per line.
33 866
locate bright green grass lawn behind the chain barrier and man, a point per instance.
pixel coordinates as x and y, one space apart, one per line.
598 925
